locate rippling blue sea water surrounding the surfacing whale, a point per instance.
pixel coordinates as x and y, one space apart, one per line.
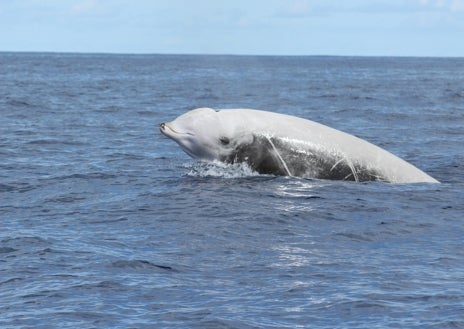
105 223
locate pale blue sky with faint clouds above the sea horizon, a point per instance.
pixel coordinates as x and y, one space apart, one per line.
255 27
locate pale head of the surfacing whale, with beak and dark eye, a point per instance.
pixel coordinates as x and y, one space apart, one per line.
206 134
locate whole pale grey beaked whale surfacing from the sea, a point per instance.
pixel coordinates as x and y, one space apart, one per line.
284 145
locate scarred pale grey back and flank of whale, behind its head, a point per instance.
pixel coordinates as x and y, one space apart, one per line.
288 145
